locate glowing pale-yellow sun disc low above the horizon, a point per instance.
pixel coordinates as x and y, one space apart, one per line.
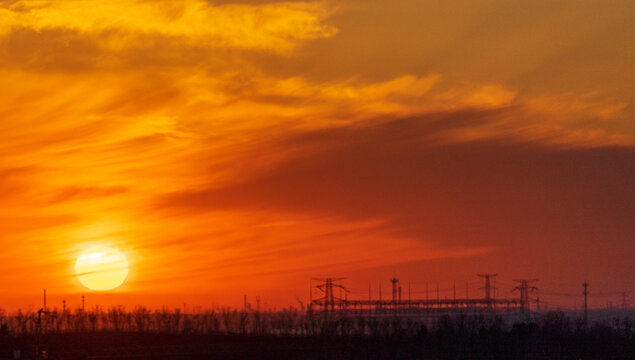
101 268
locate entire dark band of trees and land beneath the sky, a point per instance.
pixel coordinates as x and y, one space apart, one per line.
291 334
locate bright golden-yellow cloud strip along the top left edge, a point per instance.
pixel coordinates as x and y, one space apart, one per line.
118 24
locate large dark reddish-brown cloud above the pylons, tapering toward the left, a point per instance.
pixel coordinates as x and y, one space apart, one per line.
450 194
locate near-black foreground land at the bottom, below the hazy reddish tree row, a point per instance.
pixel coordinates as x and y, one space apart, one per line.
551 338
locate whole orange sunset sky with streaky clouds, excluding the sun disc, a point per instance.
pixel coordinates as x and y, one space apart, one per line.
232 148
